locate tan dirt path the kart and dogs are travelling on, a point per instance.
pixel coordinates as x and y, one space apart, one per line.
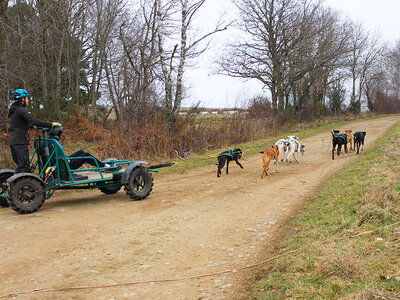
191 224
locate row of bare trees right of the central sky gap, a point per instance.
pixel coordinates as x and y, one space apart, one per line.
312 59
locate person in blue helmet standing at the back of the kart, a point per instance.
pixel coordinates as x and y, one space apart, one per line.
21 120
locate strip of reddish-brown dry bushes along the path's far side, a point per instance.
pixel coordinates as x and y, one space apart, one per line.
154 141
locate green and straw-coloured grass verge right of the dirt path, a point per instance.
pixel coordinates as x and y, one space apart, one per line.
364 197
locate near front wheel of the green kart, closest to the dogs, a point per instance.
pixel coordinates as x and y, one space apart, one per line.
140 184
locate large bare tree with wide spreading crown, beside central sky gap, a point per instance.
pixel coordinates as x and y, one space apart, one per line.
284 41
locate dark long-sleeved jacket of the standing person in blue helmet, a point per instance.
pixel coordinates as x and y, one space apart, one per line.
21 121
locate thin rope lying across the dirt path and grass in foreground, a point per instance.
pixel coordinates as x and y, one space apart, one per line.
42 290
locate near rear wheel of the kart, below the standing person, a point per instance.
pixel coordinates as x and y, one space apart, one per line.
20 198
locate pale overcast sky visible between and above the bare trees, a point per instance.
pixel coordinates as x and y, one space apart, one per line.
219 91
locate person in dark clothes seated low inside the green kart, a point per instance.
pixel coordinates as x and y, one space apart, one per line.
84 157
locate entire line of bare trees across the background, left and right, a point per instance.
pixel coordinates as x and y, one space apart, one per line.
132 56
